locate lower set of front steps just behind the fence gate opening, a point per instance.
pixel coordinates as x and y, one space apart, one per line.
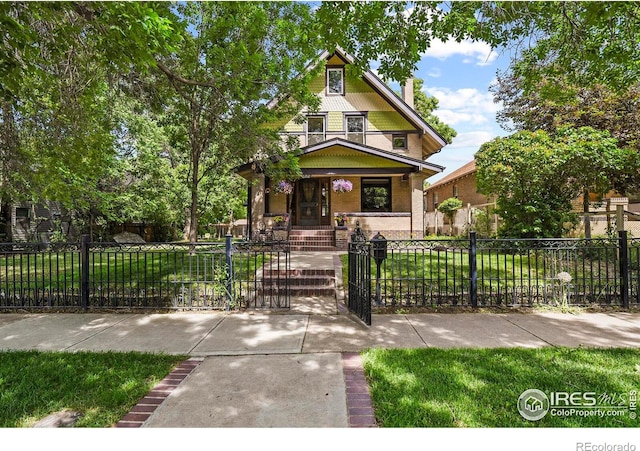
301 282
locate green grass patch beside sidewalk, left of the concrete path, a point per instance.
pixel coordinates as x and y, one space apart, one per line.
102 386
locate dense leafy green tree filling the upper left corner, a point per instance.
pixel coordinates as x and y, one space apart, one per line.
60 64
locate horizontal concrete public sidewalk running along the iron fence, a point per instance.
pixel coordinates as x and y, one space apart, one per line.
216 333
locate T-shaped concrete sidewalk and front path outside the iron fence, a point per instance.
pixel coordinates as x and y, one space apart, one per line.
299 369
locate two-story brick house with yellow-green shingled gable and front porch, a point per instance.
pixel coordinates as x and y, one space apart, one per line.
363 156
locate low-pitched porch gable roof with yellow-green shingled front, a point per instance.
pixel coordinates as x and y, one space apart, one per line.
339 153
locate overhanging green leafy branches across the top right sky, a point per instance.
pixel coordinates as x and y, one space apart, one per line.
590 42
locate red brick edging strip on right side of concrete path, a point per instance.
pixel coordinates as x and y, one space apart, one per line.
359 405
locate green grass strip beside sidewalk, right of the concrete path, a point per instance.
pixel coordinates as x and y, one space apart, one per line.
418 388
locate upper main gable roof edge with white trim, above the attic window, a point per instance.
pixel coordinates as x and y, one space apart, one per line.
385 91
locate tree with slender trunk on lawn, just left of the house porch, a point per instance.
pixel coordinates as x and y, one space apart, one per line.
235 60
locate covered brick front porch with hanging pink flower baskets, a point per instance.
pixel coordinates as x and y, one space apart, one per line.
344 183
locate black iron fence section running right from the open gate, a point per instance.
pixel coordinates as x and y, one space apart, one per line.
497 272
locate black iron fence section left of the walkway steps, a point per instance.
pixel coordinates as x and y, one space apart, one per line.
227 275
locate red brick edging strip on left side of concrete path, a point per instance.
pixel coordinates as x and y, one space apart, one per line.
147 405
